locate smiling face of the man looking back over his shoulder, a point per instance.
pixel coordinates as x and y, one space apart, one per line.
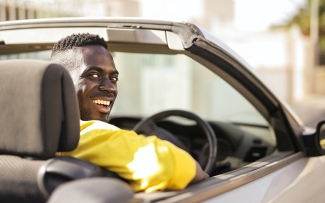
95 81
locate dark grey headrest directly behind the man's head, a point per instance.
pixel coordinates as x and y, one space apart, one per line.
39 110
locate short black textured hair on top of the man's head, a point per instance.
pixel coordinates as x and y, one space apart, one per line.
78 40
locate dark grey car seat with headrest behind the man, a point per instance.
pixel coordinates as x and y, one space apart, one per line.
39 117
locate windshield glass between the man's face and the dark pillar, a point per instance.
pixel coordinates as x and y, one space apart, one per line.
149 83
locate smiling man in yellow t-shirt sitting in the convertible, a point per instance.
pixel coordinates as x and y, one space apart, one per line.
150 164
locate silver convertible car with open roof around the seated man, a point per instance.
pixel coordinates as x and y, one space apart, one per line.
176 80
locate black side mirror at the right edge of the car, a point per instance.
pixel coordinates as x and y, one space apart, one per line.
314 143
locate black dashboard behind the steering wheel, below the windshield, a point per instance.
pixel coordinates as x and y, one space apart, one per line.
237 144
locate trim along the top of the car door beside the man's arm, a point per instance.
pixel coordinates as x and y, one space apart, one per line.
228 181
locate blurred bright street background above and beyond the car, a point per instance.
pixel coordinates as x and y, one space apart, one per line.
284 40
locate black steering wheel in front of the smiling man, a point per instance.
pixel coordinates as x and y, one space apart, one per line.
148 126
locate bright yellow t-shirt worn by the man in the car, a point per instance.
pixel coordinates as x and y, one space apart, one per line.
150 164
